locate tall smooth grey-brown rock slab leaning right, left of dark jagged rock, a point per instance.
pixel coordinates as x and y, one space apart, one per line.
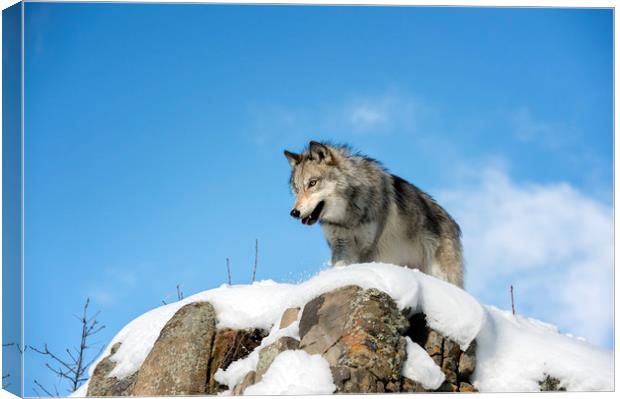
178 362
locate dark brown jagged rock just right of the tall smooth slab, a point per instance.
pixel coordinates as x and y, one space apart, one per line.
230 345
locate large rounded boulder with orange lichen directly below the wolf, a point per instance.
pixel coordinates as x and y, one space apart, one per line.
358 330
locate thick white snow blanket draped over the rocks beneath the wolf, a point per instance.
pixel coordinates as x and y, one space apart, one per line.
513 352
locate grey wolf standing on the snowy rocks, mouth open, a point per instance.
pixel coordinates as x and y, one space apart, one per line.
370 215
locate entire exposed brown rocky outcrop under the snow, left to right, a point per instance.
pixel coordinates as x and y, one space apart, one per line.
360 332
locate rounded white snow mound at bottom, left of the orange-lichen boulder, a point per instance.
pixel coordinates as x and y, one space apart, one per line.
295 372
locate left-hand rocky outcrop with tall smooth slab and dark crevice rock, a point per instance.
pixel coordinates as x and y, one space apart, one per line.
183 360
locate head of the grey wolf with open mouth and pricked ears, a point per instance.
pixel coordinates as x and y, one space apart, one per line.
313 180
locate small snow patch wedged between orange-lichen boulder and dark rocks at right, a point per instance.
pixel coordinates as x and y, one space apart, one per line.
420 368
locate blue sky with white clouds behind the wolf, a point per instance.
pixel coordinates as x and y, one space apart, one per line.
154 138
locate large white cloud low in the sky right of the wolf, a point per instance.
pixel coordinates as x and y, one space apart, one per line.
553 242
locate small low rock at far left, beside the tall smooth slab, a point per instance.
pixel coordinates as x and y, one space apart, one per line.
102 385
